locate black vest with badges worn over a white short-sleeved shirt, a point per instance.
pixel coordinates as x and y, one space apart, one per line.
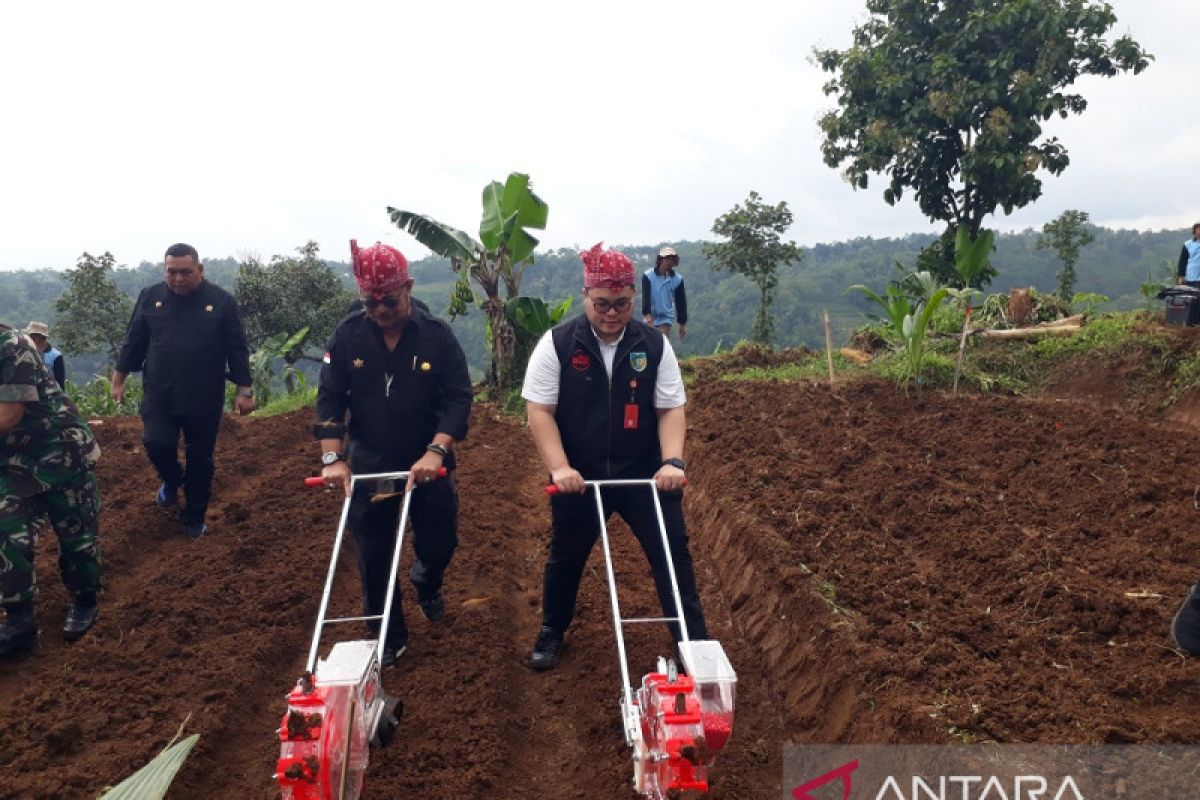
601 435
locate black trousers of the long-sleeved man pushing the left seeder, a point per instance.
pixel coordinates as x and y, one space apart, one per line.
435 515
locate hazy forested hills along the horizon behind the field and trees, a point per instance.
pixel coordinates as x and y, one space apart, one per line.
722 306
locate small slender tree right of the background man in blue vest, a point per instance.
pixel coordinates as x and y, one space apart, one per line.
754 250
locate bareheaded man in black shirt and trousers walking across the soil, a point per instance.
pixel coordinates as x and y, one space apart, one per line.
185 335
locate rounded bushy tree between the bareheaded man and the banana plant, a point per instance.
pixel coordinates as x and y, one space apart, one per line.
287 296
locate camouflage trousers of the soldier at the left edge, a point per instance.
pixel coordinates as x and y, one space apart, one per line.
74 513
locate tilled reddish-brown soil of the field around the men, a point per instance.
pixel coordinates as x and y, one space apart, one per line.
880 569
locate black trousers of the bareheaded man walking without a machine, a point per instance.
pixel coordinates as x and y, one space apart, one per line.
160 436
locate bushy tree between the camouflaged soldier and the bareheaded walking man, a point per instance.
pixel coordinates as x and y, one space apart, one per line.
92 315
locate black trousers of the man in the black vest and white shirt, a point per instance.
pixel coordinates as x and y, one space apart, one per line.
577 530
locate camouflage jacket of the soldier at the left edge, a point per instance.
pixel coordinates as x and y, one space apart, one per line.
52 446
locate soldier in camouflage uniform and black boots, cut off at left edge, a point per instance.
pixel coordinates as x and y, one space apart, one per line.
47 473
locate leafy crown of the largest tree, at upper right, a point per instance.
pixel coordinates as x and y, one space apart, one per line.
949 99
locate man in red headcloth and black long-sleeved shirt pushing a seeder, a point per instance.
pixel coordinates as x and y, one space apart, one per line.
401 376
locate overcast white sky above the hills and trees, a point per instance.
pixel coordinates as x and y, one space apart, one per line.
250 128
